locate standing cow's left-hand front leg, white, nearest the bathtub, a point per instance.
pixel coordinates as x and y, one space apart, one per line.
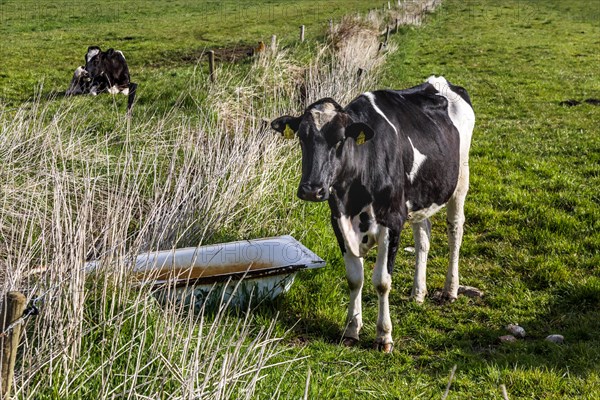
355 277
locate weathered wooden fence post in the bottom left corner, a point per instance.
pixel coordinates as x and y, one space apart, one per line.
14 304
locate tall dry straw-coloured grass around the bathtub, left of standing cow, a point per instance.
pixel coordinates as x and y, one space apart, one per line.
69 195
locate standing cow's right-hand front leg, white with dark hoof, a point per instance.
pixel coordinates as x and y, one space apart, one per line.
387 246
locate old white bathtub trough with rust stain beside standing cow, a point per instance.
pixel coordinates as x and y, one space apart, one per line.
231 272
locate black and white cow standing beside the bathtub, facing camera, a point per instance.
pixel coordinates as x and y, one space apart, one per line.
388 157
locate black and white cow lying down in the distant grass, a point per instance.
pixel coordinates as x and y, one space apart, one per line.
104 71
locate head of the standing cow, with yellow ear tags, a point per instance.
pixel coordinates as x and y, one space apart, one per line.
326 135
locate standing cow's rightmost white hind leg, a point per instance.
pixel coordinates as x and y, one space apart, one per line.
455 220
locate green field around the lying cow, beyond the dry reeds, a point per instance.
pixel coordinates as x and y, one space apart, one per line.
46 42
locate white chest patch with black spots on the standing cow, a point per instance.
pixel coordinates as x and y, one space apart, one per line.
359 236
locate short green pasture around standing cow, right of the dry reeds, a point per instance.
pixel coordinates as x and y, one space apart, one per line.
532 235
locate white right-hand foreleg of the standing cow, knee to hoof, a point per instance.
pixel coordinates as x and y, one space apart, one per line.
383 283
